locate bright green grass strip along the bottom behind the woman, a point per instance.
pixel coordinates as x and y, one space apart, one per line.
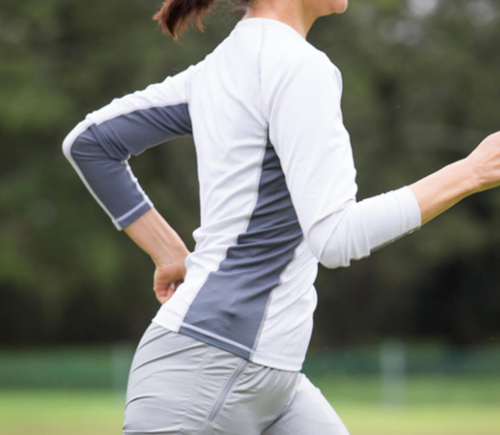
82 413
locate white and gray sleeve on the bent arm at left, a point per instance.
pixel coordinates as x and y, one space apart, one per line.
99 147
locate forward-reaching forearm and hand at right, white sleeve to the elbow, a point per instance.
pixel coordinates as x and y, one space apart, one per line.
362 227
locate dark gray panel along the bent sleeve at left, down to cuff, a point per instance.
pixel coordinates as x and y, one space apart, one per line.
102 151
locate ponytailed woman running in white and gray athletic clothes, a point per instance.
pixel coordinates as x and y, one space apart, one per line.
277 190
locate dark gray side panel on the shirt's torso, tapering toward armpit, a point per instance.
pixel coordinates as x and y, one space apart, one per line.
230 307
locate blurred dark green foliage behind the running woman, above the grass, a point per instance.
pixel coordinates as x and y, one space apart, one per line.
421 89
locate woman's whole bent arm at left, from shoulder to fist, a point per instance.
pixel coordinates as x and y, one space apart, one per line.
99 149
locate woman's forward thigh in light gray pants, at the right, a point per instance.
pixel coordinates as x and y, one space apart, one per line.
308 413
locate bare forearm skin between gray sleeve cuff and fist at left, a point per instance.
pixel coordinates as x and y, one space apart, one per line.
157 238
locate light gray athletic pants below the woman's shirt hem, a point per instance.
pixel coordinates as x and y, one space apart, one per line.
179 385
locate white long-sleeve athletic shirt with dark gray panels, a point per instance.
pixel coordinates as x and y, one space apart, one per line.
277 187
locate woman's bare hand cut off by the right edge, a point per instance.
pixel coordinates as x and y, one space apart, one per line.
485 161
